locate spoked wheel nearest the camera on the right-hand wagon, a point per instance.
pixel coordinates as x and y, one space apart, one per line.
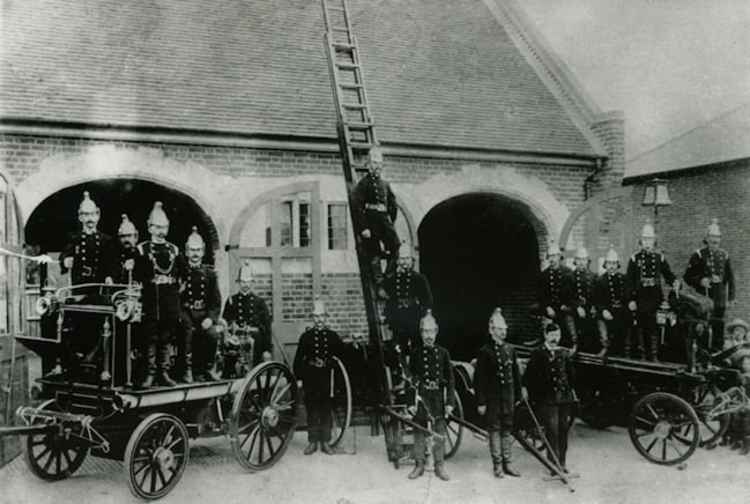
664 428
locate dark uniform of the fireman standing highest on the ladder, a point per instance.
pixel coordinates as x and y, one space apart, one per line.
375 202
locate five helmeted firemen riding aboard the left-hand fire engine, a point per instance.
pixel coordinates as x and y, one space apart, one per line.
181 302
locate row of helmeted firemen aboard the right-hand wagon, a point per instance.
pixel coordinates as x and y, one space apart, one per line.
620 309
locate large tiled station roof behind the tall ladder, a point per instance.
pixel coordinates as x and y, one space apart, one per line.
438 72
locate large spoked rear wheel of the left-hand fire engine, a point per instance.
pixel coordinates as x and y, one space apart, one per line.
263 416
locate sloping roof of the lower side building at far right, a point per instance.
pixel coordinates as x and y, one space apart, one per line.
724 138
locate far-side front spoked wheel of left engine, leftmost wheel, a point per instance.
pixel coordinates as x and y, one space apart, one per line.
53 455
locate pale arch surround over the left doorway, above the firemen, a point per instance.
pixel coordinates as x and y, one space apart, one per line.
61 171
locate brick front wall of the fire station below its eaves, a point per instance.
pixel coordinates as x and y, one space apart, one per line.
21 156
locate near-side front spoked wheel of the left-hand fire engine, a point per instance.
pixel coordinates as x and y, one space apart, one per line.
156 456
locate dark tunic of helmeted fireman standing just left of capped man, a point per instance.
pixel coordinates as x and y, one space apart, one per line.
497 382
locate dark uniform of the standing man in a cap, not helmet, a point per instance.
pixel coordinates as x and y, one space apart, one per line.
549 378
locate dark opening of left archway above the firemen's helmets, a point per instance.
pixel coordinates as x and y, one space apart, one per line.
57 216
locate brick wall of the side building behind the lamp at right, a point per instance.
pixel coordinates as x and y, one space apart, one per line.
698 196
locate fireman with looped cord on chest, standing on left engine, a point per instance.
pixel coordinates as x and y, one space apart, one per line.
163 267
